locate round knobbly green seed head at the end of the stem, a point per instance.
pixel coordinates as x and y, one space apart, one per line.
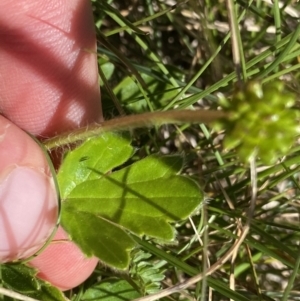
261 121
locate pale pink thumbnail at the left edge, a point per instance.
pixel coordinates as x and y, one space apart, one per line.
28 212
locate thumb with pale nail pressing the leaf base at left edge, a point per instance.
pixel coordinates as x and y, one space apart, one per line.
28 198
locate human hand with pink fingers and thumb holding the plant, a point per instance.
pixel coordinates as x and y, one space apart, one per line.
49 84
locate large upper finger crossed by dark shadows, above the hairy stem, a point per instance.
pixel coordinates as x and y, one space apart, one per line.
48 65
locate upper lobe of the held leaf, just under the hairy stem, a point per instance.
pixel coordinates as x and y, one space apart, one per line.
103 153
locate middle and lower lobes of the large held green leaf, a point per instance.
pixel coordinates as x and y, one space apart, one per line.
142 198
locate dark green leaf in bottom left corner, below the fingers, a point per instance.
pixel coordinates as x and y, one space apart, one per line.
23 280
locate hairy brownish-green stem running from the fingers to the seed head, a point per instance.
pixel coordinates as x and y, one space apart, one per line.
131 122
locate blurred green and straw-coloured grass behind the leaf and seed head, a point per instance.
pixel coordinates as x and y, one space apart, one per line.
162 55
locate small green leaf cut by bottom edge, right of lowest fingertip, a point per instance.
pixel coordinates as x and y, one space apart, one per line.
111 290
